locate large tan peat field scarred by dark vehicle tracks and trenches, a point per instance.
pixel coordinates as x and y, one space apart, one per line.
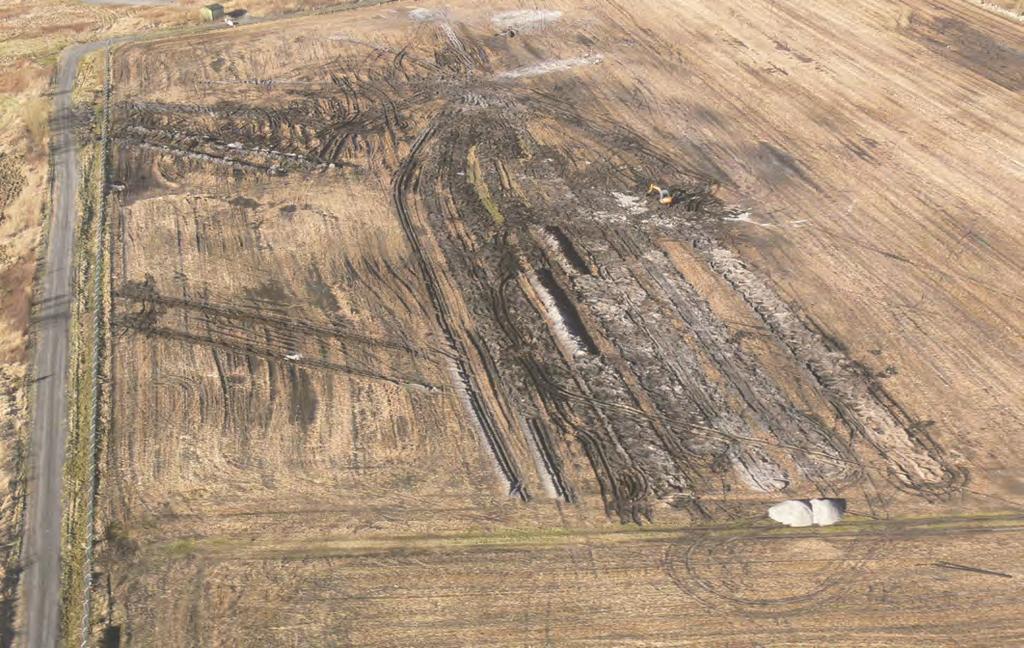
403 355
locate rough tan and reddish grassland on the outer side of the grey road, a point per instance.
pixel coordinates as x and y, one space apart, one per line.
32 35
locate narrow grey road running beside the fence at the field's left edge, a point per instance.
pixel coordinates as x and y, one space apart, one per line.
42 525
